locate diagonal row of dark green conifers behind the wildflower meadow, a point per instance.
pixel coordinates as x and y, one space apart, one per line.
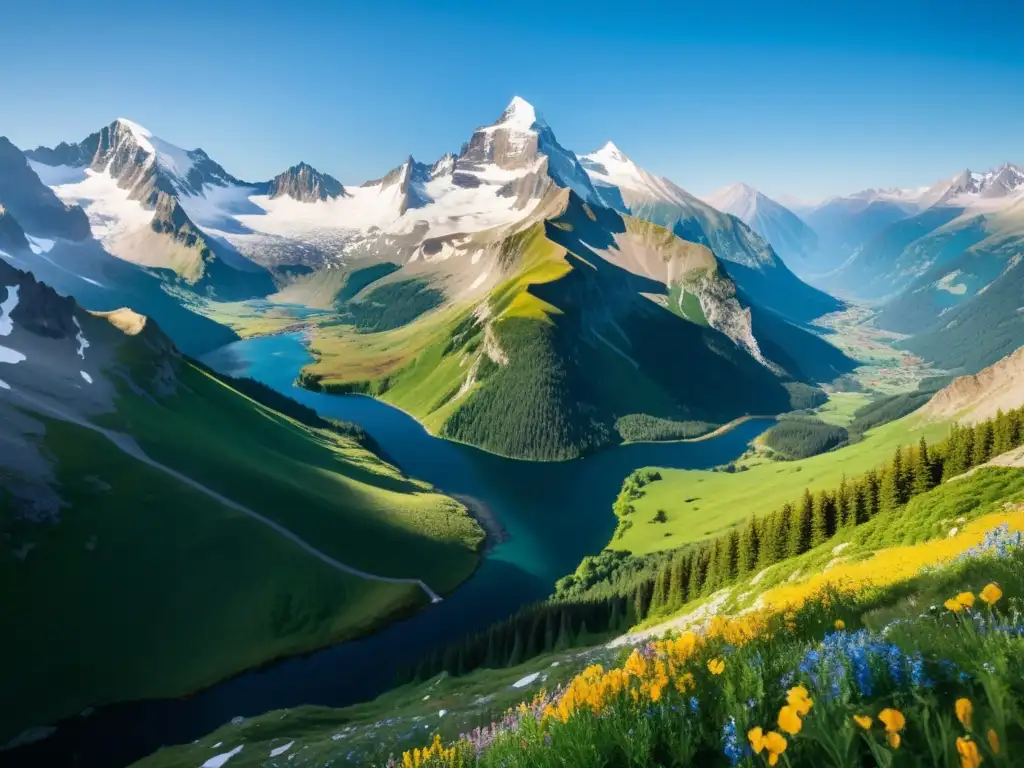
619 590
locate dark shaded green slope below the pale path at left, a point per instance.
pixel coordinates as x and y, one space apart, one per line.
175 594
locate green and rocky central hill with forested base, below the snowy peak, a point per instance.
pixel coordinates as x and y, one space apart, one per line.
576 345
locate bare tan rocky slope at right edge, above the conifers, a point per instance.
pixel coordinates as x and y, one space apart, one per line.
973 399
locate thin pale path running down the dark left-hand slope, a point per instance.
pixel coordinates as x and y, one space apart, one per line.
130 447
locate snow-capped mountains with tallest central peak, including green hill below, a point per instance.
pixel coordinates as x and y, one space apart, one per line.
485 262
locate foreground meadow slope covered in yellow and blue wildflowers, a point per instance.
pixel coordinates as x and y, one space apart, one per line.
873 645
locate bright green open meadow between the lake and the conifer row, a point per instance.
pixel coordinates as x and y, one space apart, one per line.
701 504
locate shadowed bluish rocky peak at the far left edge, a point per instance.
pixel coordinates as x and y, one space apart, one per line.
38 210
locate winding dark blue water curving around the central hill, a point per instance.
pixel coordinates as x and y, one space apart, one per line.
554 515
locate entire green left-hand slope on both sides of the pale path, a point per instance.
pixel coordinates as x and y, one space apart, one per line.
115 609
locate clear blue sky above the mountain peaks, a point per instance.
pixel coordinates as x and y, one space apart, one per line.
793 98
